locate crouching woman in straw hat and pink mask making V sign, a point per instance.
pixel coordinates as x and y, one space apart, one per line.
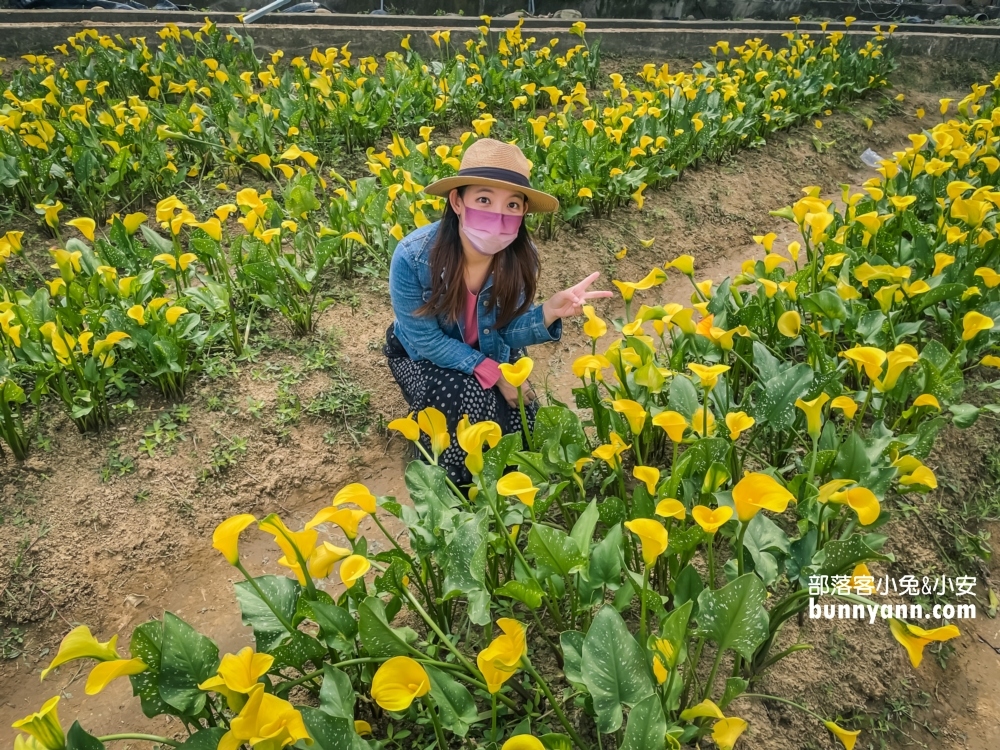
463 291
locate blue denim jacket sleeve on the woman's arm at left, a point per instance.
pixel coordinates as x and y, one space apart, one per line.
420 335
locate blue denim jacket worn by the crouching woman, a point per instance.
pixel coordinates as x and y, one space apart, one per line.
439 340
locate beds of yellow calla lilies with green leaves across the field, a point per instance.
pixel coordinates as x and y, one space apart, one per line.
623 575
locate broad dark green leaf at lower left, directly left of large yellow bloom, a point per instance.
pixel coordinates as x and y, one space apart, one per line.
188 658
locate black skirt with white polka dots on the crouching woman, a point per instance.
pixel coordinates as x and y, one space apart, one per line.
454 394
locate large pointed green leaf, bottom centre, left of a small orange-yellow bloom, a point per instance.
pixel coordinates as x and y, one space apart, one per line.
614 669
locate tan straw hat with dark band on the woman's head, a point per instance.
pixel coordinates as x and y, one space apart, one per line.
496 164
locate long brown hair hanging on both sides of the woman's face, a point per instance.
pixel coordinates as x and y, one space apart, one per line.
514 269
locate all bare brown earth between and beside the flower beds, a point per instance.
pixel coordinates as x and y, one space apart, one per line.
114 553
